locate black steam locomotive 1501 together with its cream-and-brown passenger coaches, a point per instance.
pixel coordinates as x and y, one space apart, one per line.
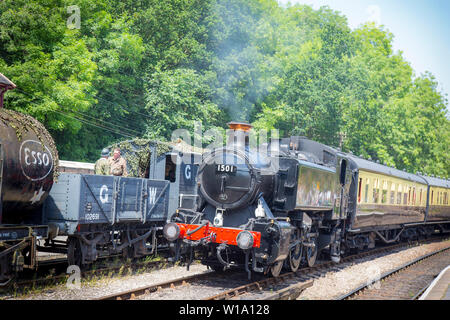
282 204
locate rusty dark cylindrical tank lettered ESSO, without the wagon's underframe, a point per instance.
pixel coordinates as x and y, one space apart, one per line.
29 159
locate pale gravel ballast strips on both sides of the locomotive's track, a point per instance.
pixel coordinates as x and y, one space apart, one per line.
329 286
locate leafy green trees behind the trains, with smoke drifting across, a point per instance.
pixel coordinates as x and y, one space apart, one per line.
145 68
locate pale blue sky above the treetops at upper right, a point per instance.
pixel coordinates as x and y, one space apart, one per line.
421 29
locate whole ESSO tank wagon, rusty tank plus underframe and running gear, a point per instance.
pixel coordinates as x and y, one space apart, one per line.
28 162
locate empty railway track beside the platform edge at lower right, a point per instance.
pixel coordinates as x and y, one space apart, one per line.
406 282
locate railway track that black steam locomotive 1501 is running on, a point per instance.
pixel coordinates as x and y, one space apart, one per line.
286 286
